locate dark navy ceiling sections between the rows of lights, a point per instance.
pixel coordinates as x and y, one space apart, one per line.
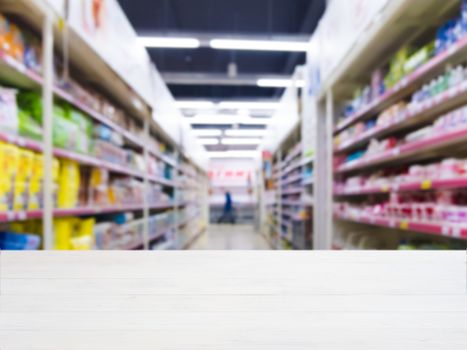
232 17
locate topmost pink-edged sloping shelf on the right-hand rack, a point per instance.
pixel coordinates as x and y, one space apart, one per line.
408 84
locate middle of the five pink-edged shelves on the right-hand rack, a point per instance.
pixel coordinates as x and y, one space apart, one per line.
413 150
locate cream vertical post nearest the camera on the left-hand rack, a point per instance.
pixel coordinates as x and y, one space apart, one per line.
47 98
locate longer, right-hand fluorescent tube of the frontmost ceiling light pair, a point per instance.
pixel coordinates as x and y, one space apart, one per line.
259 45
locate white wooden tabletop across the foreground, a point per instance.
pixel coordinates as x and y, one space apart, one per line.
233 300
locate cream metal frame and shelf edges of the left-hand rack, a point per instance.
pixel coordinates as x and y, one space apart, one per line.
85 61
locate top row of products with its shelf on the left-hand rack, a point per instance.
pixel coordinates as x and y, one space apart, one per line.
20 67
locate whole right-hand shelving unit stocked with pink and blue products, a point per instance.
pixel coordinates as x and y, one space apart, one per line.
396 157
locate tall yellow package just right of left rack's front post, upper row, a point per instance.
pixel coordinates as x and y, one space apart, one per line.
68 184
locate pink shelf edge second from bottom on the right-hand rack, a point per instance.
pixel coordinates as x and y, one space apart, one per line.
424 185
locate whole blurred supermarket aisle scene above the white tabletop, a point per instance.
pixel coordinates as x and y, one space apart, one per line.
266 124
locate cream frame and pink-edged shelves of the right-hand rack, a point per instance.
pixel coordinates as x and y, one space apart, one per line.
386 31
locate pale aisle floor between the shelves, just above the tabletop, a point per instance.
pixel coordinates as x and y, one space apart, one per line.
231 237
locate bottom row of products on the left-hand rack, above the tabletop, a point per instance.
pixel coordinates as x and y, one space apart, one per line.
124 231
